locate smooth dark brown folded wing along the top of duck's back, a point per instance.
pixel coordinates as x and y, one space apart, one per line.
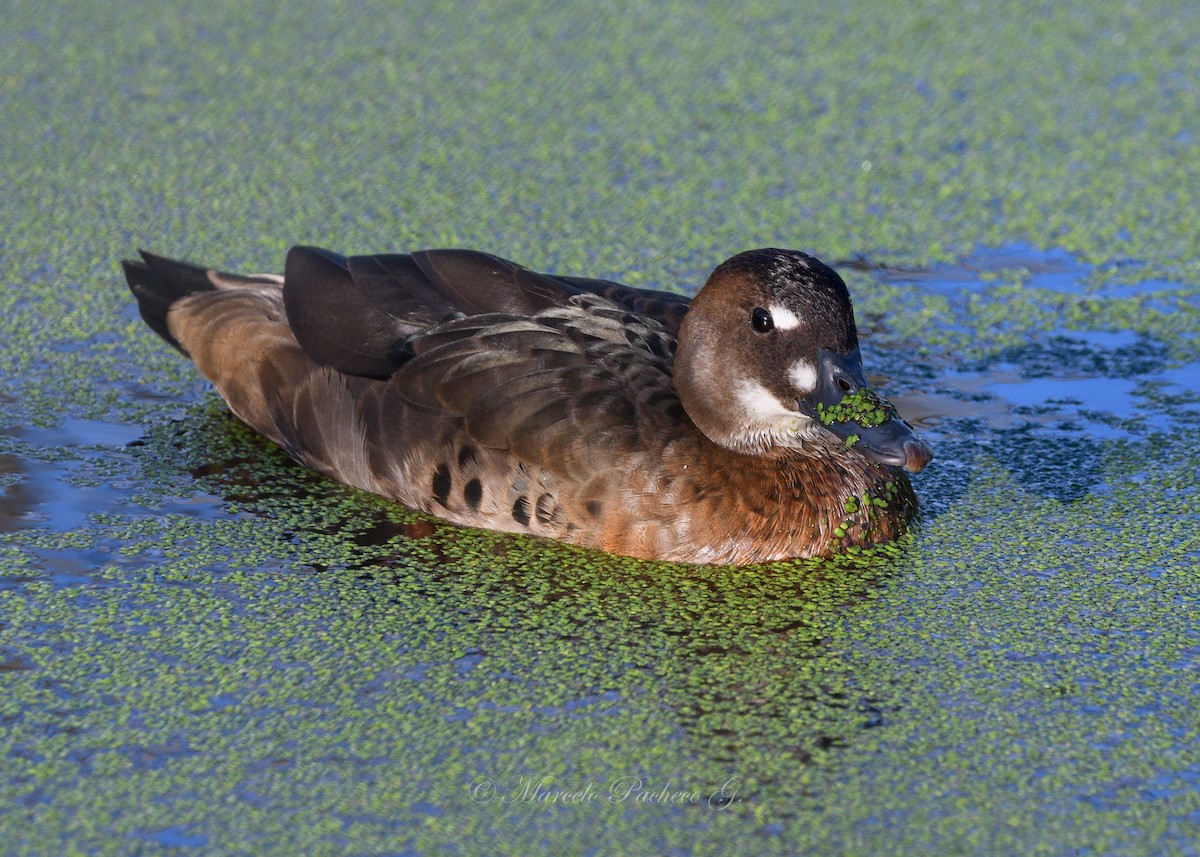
357 314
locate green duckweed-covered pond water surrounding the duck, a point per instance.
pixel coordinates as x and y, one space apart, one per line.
207 650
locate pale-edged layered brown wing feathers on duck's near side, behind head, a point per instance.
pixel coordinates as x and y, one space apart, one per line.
587 376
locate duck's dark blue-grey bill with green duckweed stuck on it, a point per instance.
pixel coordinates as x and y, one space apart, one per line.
860 417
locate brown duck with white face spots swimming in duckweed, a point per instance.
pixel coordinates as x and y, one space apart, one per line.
736 428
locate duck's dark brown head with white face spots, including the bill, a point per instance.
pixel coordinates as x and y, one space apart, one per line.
769 361
